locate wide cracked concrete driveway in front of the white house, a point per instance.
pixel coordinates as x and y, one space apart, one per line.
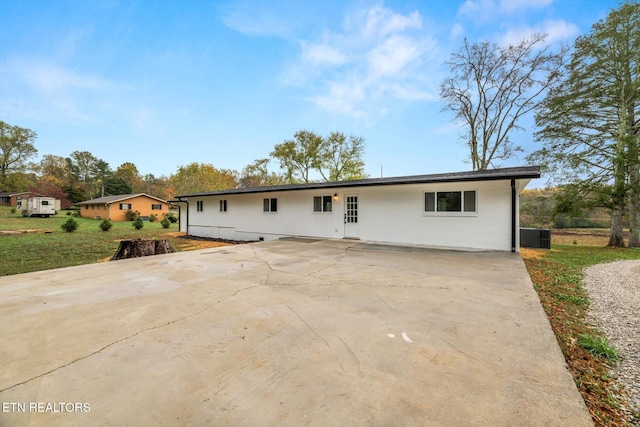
285 333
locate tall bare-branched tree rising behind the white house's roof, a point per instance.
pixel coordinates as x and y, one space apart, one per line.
492 87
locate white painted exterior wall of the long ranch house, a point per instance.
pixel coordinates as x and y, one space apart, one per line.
393 213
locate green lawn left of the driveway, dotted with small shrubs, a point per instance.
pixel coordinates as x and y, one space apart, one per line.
50 247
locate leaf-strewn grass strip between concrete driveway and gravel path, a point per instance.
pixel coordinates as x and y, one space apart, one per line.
557 277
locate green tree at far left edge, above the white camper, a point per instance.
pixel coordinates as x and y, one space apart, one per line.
16 147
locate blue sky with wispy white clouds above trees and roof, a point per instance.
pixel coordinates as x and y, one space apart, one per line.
166 83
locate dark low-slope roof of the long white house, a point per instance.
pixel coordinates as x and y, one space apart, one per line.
523 172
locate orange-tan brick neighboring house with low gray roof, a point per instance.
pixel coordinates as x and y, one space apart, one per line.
114 208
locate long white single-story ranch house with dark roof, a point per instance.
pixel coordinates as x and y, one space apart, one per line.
466 210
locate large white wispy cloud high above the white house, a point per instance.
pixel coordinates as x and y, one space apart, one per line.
376 59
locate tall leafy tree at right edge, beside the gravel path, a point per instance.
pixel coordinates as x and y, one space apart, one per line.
589 119
